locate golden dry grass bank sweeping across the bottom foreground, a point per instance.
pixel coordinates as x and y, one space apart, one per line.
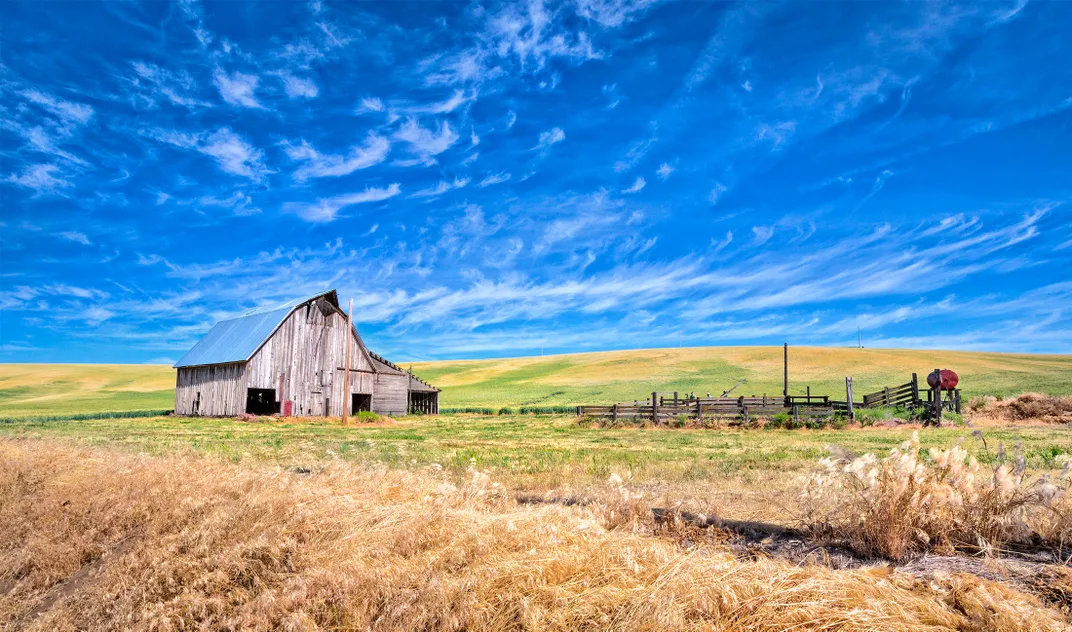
97 539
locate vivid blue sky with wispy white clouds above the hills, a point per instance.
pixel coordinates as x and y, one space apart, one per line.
498 180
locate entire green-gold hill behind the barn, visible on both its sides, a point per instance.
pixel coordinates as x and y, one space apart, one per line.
613 377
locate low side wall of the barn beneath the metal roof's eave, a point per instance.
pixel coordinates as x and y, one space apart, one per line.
221 387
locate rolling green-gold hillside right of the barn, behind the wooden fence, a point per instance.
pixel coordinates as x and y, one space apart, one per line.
623 377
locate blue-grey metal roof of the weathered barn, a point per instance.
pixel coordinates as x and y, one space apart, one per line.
239 339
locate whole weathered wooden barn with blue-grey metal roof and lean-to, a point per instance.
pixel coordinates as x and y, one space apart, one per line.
292 359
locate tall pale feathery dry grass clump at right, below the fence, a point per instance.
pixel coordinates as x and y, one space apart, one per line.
904 504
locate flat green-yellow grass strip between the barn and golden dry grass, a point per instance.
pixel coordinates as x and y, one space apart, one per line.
537 452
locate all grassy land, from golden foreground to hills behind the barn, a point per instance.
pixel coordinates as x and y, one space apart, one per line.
530 522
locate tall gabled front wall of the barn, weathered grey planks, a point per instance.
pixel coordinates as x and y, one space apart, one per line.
309 351
